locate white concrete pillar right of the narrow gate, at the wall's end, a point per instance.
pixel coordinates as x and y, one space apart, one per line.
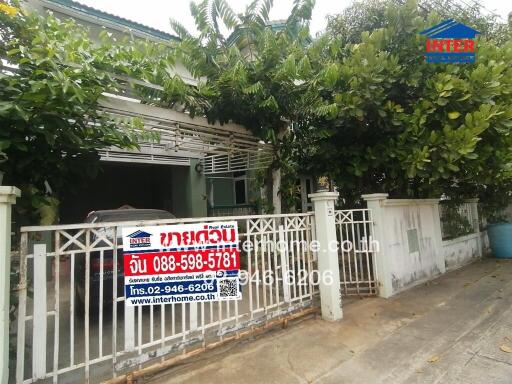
376 203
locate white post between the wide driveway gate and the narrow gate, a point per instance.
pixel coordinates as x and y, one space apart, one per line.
330 295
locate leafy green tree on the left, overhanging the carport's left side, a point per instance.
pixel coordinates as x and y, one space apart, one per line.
52 79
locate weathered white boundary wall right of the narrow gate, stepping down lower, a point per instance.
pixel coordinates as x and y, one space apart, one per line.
411 247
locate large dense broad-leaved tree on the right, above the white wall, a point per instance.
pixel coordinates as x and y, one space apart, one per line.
391 122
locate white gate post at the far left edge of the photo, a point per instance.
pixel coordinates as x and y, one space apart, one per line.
7 198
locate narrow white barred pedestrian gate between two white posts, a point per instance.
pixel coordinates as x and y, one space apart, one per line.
357 251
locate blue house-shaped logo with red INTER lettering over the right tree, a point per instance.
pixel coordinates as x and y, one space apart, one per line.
450 42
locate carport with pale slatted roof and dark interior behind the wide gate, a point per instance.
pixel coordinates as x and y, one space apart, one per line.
170 174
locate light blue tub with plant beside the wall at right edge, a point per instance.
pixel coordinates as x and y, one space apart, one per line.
499 231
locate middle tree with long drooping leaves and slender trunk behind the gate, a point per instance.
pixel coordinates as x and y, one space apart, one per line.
253 72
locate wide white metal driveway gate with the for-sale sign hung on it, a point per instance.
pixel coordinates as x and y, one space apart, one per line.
72 322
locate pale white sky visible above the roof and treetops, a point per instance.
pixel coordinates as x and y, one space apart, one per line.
156 13
